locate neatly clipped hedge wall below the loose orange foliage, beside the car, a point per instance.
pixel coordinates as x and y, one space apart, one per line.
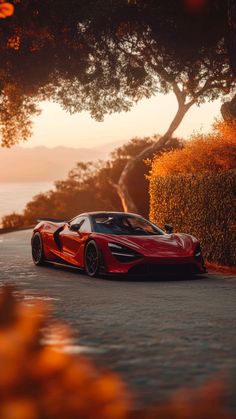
202 205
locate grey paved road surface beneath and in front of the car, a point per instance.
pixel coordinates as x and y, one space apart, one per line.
160 335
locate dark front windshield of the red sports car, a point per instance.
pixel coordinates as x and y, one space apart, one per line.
124 225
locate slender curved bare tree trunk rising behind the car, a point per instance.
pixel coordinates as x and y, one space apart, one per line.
122 186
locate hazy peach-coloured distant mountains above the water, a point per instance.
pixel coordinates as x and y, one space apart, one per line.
40 164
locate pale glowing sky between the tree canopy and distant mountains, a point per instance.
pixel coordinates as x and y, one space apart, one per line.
56 127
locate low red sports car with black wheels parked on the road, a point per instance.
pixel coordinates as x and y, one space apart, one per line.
116 243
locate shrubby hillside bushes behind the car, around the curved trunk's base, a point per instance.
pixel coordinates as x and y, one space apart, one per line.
88 187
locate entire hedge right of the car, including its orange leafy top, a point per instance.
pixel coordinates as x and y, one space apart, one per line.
194 188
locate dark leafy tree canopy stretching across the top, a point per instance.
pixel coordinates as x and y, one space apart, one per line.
102 56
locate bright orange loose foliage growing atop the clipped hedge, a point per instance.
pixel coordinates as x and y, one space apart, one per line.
204 153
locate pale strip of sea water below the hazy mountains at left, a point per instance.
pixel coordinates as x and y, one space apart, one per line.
14 196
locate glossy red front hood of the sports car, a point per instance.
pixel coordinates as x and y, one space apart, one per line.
166 245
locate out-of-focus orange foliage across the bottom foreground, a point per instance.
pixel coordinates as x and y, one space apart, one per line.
40 381
